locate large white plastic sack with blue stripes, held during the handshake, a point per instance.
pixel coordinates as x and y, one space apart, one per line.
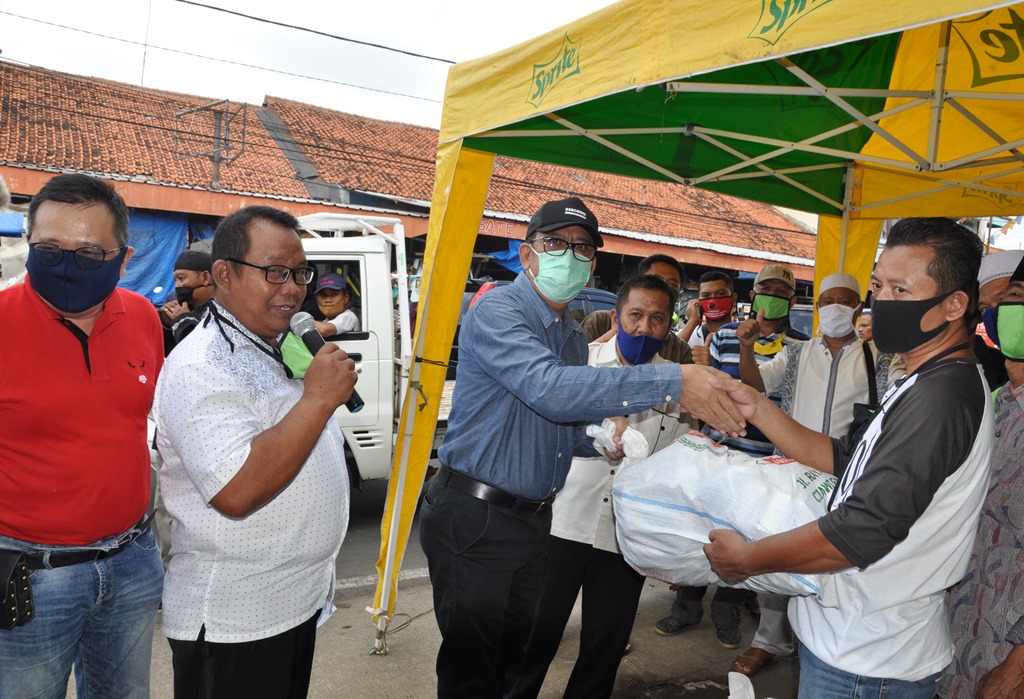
666 505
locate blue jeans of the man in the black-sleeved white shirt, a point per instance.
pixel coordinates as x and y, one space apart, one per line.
819 680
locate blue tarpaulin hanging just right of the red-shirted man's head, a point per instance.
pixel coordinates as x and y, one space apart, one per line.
158 239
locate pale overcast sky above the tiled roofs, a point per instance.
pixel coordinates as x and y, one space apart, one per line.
454 30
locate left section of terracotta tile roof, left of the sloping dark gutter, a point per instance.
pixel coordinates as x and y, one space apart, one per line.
59 120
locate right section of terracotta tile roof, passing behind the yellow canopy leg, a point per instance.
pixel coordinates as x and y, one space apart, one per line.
399 159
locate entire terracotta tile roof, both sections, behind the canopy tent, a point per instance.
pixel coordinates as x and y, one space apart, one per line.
58 120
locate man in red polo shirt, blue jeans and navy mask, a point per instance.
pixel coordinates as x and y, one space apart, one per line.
79 360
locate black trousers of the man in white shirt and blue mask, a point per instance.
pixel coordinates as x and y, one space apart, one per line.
611 596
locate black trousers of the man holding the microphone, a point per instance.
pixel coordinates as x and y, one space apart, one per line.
278 668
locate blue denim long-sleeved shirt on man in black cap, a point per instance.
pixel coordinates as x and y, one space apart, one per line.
524 394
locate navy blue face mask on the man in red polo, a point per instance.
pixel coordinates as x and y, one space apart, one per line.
71 289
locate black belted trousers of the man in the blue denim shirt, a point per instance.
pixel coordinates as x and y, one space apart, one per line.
486 567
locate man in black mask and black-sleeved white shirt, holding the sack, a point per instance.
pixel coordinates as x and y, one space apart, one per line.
901 527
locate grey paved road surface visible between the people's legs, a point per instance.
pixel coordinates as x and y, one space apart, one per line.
691 666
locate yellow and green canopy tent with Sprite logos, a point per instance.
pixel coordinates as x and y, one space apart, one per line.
856 111
